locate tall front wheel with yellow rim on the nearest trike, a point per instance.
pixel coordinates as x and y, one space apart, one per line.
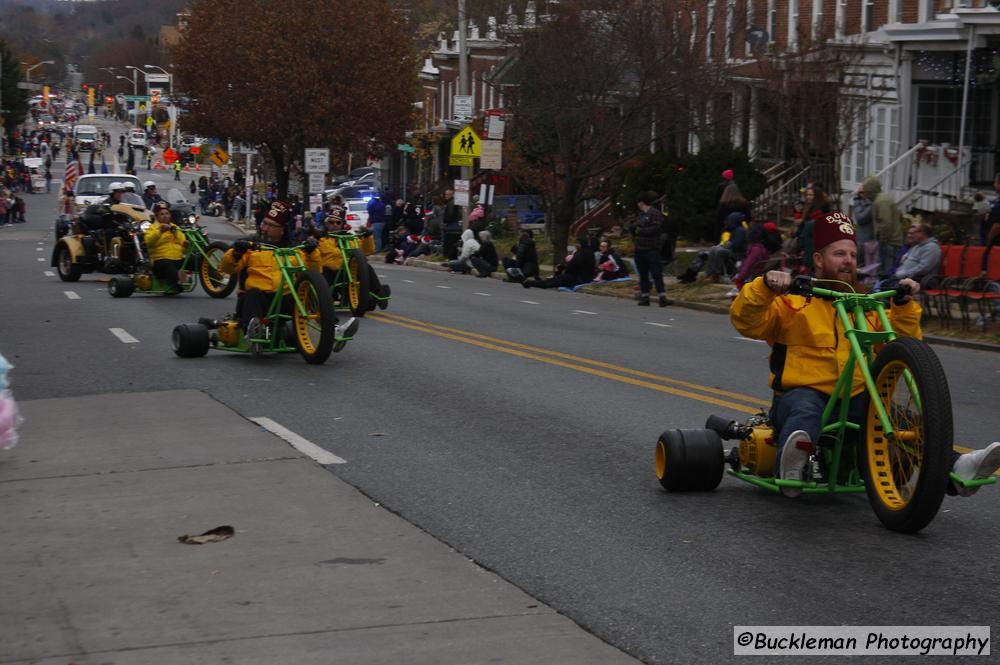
906 474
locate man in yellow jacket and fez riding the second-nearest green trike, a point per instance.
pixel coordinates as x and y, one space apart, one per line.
260 275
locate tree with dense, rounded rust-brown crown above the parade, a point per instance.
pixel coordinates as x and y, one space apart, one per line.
328 74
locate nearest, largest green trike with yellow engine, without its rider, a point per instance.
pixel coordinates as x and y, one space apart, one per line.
900 455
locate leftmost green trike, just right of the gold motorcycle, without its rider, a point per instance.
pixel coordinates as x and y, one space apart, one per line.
200 263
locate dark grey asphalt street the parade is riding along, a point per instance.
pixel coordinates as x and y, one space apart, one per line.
518 426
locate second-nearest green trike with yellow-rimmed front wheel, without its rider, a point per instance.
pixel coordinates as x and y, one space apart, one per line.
309 330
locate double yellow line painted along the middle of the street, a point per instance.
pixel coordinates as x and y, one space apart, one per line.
664 384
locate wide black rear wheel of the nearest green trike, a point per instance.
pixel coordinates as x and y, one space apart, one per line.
689 460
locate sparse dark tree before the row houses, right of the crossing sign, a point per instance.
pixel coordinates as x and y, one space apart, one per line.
596 85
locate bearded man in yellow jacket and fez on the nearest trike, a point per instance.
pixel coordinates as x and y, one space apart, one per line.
809 348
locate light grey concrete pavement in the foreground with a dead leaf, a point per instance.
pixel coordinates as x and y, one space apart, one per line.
100 488
